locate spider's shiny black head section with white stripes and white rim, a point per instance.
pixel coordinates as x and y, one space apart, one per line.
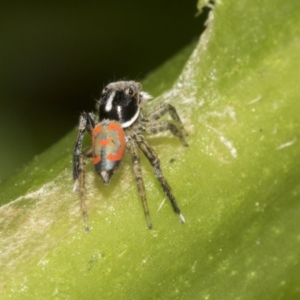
121 101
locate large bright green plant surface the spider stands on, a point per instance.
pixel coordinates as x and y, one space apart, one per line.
237 183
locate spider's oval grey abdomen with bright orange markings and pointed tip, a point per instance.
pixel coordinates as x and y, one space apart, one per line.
108 148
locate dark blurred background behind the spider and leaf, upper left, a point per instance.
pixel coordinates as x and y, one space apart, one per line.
56 56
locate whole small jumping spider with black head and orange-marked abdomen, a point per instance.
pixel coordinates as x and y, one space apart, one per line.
118 126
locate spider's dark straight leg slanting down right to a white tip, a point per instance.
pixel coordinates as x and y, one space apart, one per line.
154 160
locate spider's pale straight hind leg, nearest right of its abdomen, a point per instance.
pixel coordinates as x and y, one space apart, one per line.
130 145
